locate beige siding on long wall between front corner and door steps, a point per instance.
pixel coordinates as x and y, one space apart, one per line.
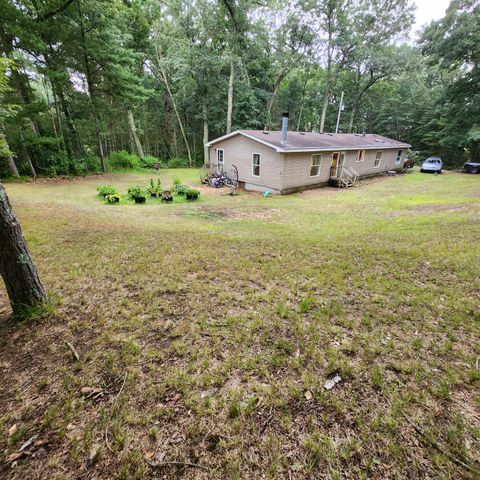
296 171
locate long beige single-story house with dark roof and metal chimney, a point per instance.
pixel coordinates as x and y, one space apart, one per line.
286 162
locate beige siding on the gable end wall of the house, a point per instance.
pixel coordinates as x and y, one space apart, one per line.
239 150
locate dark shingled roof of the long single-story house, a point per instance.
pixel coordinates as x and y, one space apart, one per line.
322 141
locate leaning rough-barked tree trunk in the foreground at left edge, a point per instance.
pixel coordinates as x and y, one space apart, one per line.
16 266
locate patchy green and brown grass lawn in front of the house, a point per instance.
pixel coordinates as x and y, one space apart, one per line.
209 329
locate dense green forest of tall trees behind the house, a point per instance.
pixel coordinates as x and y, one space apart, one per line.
91 85
